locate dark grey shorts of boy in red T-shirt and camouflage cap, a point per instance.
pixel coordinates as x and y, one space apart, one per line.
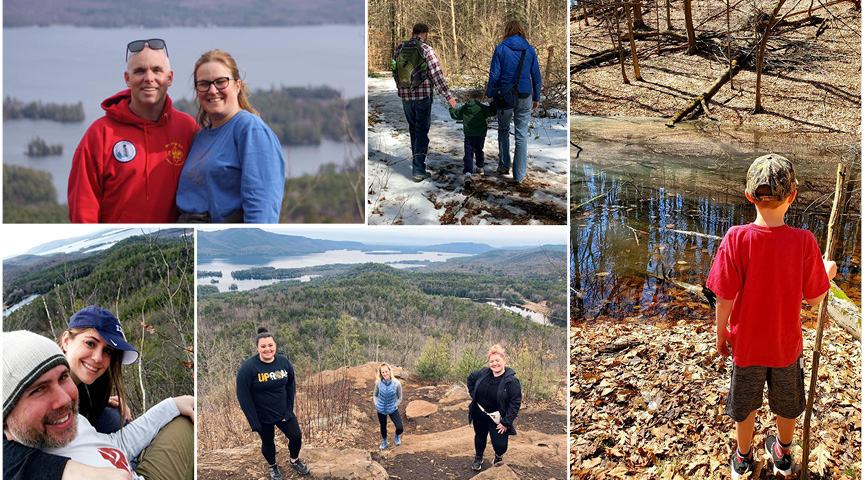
785 390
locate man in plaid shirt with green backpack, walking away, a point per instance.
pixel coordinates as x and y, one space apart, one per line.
416 69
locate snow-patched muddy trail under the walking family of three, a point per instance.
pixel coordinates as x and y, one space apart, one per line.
393 198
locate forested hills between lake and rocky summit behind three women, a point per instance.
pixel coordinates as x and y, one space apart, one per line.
374 310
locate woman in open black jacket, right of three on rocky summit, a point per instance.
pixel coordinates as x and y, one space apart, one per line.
495 400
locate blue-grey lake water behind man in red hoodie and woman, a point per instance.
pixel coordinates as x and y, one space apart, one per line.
35 67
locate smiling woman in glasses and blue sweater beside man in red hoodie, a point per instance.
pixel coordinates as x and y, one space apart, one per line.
235 170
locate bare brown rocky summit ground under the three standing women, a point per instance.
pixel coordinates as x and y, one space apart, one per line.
437 446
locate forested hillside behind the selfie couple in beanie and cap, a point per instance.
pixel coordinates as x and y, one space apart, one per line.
147 282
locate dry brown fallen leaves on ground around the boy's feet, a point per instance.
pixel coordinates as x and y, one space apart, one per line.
647 402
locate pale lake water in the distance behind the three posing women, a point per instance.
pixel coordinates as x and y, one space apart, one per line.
330 257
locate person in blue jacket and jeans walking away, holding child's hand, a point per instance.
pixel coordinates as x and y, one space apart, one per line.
505 64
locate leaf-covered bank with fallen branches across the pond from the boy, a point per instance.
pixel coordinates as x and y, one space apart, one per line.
811 82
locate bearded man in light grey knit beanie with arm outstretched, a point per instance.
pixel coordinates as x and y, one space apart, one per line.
40 410
